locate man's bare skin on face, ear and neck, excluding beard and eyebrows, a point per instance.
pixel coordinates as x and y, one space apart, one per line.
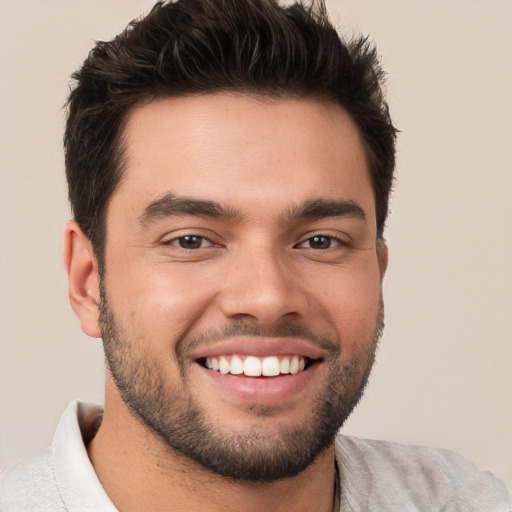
260 158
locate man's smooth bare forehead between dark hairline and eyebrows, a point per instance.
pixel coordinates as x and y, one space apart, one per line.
243 150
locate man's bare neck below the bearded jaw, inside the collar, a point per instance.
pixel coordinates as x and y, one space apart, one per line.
138 471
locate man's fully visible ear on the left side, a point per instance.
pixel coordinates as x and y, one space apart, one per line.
83 278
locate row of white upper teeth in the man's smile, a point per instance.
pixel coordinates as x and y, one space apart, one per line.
256 366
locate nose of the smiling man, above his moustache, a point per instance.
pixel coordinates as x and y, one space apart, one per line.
262 286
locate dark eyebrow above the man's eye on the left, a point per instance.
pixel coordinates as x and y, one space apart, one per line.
170 205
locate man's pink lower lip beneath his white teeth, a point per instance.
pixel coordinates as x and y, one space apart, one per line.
261 390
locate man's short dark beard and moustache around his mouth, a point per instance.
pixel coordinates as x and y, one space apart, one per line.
259 453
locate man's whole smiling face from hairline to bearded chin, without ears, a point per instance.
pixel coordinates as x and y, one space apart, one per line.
241 300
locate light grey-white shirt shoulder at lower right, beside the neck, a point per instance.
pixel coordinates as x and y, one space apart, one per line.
400 476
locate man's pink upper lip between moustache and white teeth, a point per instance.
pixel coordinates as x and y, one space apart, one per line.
260 347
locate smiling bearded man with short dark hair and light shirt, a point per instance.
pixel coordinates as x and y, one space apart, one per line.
229 166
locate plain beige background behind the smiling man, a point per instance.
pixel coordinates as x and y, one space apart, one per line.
444 370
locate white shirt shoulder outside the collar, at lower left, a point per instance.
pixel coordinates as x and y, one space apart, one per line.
30 485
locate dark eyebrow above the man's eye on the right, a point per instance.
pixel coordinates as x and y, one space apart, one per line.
315 209
